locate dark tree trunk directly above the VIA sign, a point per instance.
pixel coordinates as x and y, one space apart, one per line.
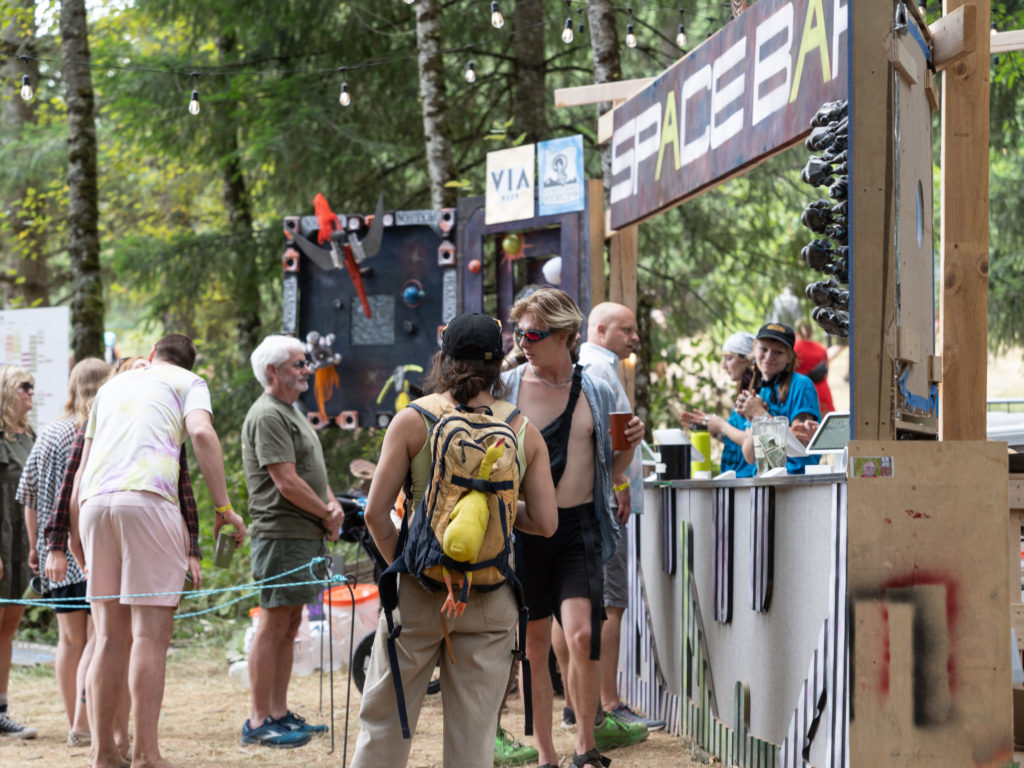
529 72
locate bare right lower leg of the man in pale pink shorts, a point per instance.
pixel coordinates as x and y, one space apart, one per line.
152 626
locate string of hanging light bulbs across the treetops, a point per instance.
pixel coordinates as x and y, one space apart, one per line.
569 32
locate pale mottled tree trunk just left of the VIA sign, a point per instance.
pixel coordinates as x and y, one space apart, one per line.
434 98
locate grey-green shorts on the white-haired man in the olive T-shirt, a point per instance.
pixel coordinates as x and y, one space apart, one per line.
273 558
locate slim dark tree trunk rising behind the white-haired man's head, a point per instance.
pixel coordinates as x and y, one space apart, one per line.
239 204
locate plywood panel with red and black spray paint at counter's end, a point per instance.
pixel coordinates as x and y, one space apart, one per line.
928 579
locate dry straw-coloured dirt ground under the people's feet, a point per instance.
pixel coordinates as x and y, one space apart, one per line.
203 714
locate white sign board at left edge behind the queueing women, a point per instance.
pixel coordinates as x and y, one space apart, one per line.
39 340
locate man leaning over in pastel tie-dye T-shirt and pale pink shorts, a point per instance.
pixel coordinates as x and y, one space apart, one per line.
136 541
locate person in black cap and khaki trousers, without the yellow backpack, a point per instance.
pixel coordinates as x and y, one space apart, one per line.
464 375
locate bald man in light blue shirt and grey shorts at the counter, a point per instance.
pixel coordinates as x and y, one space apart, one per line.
612 336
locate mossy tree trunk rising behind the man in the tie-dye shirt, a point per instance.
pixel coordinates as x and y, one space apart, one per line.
83 195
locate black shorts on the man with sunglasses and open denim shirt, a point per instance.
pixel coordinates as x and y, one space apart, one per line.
568 565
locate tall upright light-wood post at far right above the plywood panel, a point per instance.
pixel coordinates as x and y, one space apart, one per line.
964 241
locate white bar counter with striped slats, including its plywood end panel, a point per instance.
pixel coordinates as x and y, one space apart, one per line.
757 603
